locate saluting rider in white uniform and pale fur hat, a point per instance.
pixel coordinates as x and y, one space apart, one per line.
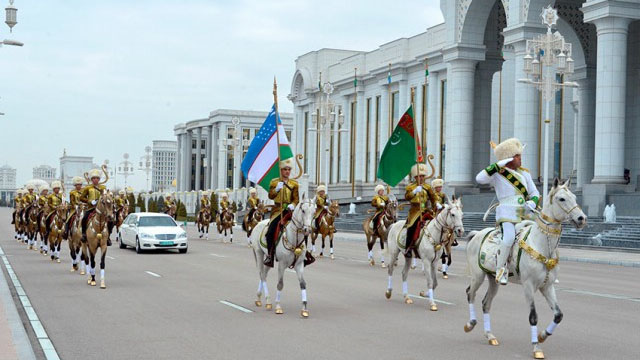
515 191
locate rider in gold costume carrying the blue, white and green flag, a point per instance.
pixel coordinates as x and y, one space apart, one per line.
284 192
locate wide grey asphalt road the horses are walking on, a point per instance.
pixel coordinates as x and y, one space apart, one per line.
166 305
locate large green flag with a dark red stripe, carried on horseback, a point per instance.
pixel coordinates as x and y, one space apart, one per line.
400 153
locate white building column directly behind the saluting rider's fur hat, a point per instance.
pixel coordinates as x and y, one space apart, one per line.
526 117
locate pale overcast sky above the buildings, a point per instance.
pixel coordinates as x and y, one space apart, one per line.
101 78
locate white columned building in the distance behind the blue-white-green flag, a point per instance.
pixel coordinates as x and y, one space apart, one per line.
204 164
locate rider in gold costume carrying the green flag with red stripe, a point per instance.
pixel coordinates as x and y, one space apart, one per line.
418 194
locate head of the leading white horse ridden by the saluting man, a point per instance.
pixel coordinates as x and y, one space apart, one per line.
561 205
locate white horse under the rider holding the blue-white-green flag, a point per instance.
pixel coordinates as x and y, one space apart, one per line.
289 252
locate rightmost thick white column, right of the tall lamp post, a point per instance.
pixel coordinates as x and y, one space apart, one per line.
611 89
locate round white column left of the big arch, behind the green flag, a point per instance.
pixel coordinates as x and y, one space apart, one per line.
459 134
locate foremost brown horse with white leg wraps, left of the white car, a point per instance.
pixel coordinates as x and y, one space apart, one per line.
97 235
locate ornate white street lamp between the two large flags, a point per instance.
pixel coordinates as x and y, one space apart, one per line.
328 119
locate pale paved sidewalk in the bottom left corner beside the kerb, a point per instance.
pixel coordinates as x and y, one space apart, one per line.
14 342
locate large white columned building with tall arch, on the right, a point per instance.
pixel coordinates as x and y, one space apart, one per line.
472 95
